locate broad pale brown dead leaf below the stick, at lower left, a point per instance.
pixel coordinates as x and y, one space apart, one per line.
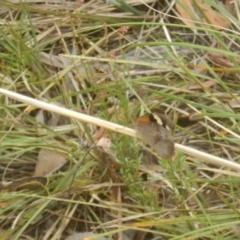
48 161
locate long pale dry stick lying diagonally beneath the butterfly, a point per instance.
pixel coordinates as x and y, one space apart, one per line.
205 157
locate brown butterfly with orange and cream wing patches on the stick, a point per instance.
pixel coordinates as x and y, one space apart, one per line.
156 130
